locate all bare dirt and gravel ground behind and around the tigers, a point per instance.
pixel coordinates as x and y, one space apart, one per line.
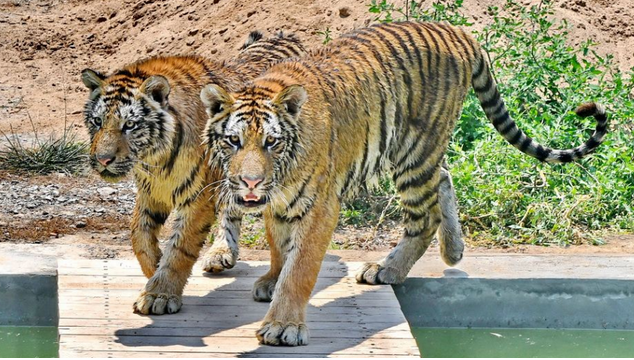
46 44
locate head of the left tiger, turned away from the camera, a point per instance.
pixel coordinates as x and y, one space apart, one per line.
128 121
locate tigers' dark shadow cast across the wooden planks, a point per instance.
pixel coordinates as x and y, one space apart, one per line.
209 320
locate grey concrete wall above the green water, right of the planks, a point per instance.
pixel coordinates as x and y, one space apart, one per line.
518 303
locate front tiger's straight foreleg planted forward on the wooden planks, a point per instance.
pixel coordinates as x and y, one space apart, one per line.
285 322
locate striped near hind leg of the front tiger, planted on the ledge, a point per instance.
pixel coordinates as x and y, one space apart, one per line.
422 218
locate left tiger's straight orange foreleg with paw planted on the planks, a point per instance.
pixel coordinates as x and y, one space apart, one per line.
163 292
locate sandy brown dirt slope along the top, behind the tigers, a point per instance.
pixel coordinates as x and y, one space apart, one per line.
46 43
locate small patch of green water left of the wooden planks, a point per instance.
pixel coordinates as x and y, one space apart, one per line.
28 341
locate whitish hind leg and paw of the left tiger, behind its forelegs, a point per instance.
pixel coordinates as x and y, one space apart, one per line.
224 252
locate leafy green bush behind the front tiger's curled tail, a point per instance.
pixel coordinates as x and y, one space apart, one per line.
505 196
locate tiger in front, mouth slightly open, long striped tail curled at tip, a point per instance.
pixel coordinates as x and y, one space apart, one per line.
308 133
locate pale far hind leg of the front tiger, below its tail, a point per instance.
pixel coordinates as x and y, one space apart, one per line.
449 233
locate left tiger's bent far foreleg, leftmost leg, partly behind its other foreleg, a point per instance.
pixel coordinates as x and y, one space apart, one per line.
147 220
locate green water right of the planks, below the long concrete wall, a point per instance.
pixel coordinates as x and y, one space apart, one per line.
444 342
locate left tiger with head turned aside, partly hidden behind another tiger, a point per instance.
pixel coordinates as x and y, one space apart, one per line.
147 118
